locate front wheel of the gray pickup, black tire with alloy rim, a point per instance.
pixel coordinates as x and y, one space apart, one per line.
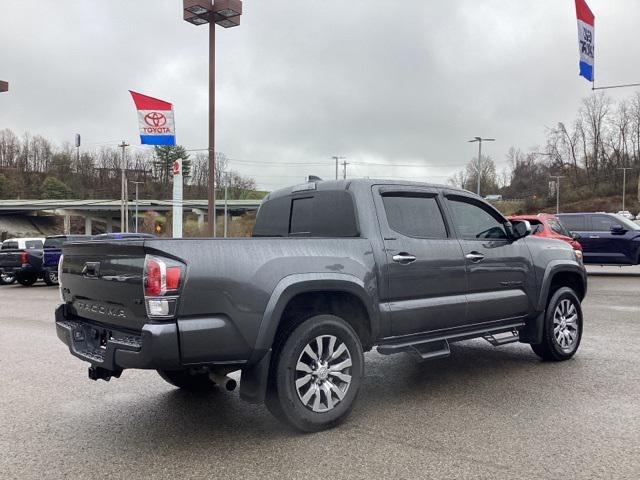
551 348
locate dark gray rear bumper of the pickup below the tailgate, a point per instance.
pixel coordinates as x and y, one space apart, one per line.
155 347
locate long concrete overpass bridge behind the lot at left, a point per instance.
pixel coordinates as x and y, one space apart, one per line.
108 211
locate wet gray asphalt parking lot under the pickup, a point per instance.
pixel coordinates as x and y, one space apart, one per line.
484 412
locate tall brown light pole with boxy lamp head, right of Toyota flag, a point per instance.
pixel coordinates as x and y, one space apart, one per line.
225 13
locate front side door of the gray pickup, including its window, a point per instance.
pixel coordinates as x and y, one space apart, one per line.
501 281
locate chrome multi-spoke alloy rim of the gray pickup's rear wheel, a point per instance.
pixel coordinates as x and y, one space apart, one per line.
323 373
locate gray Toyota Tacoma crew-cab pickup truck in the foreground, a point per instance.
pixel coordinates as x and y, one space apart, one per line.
333 270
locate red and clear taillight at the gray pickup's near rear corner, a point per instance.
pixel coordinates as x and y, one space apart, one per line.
162 281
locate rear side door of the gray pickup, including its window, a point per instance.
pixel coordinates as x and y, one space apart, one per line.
425 268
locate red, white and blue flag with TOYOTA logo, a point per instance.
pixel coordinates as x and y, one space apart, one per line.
155 119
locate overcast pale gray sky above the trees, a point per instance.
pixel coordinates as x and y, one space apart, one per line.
380 82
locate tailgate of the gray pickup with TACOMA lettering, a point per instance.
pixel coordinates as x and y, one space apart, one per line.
103 281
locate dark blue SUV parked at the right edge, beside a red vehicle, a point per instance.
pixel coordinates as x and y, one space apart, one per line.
606 238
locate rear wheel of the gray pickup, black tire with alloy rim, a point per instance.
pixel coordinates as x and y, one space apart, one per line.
284 398
